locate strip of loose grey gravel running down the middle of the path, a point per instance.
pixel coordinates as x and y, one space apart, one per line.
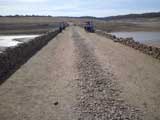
99 98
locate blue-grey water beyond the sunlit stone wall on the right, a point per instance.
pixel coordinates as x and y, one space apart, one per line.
143 37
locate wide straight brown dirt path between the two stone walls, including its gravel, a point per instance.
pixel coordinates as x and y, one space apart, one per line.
83 76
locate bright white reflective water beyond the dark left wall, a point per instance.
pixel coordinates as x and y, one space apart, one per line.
13 40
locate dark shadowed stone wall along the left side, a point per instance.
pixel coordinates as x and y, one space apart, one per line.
13 57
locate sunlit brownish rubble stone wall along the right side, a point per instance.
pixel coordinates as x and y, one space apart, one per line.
150 50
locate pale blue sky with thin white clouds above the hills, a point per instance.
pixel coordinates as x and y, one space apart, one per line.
98 8
